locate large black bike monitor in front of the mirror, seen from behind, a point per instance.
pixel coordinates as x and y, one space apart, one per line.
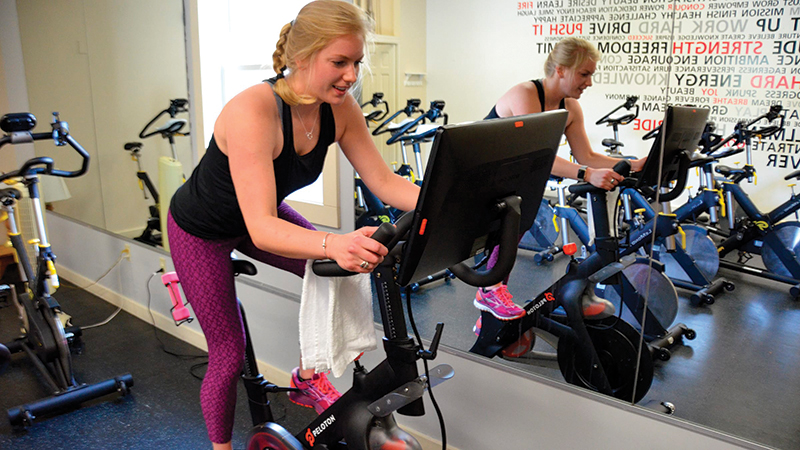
471 167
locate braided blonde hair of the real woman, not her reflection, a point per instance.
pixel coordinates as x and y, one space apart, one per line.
316 25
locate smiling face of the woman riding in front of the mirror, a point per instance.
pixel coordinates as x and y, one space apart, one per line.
333 70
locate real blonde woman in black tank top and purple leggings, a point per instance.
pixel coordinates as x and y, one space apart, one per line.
269 141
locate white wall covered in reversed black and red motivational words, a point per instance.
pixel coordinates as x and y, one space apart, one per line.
737 58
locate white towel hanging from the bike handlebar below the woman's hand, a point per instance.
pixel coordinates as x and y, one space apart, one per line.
336 323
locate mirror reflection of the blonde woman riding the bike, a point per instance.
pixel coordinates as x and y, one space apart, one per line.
568 72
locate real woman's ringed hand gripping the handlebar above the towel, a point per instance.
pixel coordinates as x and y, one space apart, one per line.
353 249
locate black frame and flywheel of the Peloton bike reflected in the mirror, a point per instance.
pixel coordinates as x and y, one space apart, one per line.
600 355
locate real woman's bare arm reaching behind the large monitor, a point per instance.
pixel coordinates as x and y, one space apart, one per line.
357 145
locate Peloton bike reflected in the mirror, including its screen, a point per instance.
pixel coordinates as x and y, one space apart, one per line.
605 355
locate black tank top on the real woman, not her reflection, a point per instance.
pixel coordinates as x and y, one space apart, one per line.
206 206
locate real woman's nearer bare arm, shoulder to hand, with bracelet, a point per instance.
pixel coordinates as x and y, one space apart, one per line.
251 136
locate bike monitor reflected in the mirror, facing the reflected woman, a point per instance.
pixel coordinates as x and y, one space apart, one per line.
684 126
